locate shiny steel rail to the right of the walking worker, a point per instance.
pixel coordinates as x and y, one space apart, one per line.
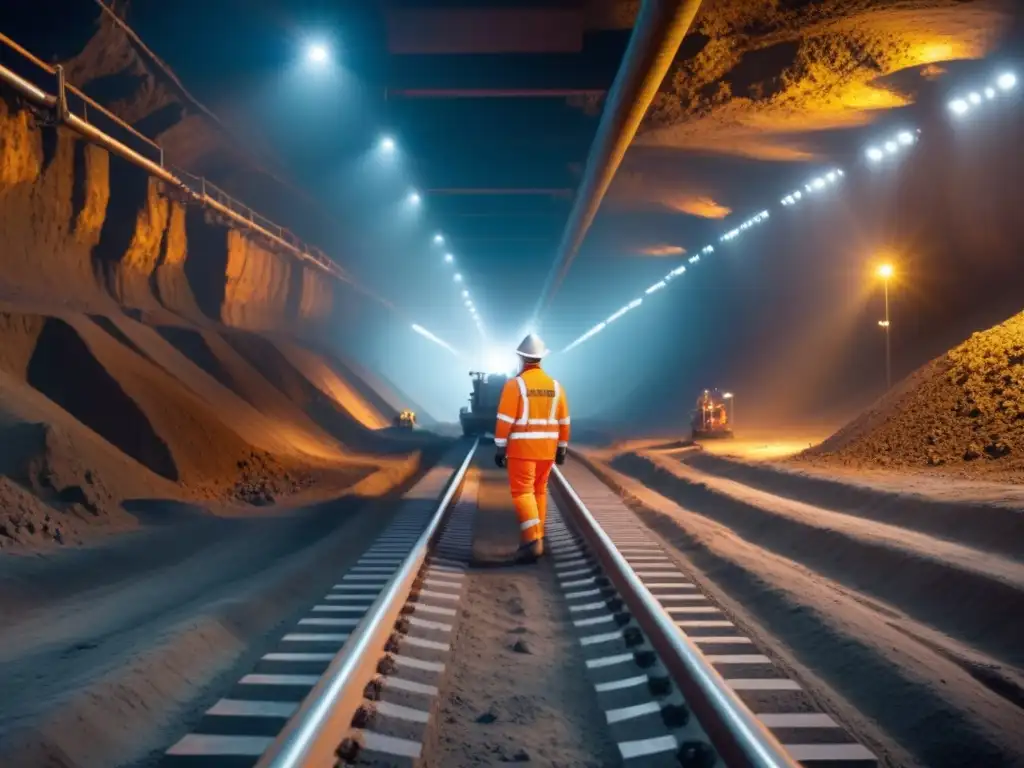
736 732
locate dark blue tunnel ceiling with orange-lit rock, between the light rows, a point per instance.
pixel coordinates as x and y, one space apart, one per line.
495 106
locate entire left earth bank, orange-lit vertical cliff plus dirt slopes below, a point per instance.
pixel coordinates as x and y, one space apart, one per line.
132 374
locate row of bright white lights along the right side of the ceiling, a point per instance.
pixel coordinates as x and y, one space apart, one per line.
1006 82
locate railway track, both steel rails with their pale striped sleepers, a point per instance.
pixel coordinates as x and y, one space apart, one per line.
358 680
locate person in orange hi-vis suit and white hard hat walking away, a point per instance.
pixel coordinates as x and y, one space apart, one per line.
531 436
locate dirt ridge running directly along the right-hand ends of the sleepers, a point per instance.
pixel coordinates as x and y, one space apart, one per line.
913 695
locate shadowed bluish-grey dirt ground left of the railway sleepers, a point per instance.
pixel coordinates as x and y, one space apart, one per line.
112 674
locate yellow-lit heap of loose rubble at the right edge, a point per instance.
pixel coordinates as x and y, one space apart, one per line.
963 412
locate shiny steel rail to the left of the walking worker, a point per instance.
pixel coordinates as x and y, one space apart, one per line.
315 733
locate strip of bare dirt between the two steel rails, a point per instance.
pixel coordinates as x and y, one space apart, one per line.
500 705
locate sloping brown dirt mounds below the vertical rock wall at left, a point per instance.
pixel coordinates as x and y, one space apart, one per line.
97 411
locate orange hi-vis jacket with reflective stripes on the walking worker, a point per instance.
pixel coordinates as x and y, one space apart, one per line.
533 416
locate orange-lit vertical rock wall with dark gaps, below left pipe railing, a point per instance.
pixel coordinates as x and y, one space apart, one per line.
87 231
